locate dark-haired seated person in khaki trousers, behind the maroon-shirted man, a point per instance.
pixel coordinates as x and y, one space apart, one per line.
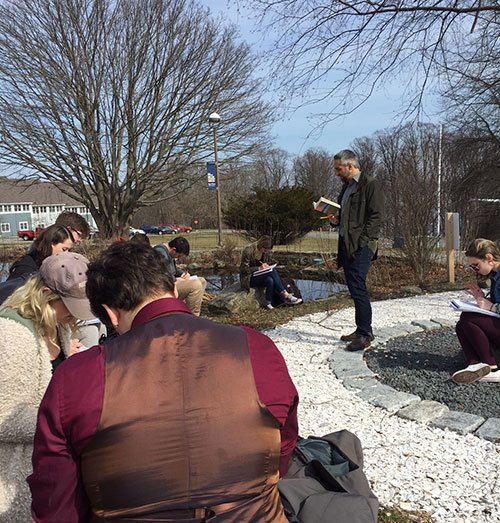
189 288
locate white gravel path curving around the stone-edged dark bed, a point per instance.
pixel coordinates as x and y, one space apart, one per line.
452 477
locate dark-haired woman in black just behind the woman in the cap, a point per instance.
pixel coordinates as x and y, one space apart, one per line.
52 240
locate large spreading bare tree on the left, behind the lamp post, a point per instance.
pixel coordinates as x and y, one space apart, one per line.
109 99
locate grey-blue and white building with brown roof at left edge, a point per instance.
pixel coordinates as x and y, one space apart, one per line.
26 205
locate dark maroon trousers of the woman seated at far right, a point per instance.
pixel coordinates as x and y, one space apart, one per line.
479 336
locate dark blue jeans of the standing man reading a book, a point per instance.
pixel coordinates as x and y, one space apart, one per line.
355 271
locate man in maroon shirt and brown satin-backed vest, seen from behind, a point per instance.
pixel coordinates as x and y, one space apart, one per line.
177 417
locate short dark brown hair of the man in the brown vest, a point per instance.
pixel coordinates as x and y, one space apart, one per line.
124 276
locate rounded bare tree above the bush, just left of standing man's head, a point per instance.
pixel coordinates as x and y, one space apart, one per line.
314 170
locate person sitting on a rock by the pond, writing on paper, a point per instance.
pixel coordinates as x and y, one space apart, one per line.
256 257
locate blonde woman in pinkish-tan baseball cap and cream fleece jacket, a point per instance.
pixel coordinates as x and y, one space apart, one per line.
36 326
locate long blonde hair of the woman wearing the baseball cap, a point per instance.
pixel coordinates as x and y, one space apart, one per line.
33 302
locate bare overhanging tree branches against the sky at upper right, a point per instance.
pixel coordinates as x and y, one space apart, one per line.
343 51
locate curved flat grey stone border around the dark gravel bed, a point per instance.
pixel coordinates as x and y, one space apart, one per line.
351 369
